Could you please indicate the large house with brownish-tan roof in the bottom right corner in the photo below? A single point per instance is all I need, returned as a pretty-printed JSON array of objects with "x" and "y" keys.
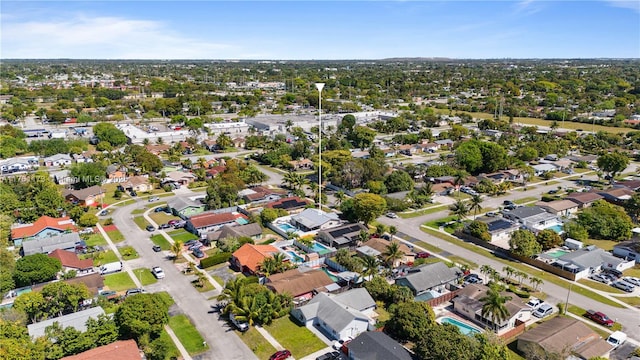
[{"x": 563, "y": 338}]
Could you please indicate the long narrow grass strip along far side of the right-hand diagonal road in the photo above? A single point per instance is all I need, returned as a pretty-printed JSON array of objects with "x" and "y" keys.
[{"x": 546, "y": 277}]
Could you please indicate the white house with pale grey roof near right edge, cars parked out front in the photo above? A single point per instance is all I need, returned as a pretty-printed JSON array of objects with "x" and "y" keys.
[{"x": 590, "y": 259}]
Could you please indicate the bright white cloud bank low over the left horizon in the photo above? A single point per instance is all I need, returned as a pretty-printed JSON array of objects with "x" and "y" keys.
[{"x": 106, "y": 38}]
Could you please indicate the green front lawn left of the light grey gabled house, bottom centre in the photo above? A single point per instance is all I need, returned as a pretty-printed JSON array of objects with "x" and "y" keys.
[{"x": 296, "y": 338}]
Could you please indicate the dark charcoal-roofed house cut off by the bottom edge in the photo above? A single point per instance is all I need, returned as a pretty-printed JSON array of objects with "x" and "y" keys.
[{"x": 376, "y": 345}]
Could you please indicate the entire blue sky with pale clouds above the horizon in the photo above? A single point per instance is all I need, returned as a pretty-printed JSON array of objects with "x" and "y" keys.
[{"x": 319, "y": 30}]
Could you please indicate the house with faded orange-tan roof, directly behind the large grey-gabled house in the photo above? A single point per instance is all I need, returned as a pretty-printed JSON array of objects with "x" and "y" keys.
[{"x": 301, "y": 283}]
